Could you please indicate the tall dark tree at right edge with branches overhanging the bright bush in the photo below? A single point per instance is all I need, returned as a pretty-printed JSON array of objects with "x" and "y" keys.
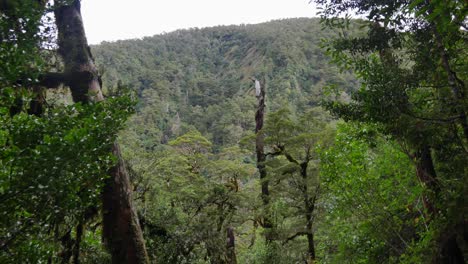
[{"x": 414, "y": 87}]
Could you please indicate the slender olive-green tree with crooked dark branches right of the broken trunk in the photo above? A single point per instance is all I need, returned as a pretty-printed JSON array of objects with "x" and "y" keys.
[{"x": 294, "y": 143}]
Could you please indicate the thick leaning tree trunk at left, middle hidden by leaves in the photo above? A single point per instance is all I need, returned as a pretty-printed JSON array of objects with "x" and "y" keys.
[{"x": 122, "y": 232}]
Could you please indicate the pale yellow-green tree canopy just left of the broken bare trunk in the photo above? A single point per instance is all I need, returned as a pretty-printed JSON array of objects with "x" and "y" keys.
[{"x": 189, "y": 196}]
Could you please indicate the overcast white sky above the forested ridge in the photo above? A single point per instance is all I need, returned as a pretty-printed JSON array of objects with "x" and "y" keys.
[{"x": 109, "y": 20}]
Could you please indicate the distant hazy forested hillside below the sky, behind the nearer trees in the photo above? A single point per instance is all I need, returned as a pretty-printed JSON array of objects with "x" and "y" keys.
[{"x": 202, "y": 77}]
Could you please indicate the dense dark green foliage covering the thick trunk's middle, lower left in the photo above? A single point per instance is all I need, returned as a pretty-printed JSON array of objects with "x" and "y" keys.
[{"x": 43, "y": 185}]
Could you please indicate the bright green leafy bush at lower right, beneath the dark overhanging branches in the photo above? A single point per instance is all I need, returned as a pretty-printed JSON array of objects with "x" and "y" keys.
[{"x": 374, "y": 202}]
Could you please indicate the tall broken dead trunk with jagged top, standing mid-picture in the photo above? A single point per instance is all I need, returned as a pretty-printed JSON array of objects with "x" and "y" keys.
[{"x": 261, "y": 158}]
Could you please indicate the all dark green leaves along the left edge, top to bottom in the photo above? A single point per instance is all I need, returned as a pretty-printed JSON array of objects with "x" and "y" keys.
[{"x": 52, "y": 164}]
